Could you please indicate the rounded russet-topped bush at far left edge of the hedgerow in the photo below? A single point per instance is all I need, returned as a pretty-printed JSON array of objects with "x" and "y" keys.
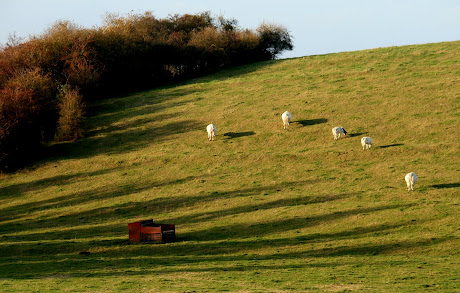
[{"x": 27, "y": 115}]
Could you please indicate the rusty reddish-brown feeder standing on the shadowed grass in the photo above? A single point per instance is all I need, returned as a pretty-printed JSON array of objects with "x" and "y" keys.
[{"x": 148, "y": 231}]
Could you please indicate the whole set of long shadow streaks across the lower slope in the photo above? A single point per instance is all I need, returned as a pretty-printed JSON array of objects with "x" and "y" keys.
[{"x": 43, "y": 254}]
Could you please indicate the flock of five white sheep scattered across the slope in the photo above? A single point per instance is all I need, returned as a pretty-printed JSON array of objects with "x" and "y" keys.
[{"x": 337, "y": 132}]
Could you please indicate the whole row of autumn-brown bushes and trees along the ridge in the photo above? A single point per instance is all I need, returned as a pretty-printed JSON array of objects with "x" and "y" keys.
[{"x": 45, "y": 80}]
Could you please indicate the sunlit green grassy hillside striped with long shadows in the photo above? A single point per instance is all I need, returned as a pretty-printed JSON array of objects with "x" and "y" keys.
[{"x": 261, "y": 209}]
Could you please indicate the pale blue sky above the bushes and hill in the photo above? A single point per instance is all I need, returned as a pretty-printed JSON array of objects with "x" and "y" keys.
[{"x": 318, "y": 27}]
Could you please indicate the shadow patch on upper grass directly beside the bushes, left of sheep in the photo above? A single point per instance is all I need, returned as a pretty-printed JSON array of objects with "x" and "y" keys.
[{"x": 124, "y": 124}]
